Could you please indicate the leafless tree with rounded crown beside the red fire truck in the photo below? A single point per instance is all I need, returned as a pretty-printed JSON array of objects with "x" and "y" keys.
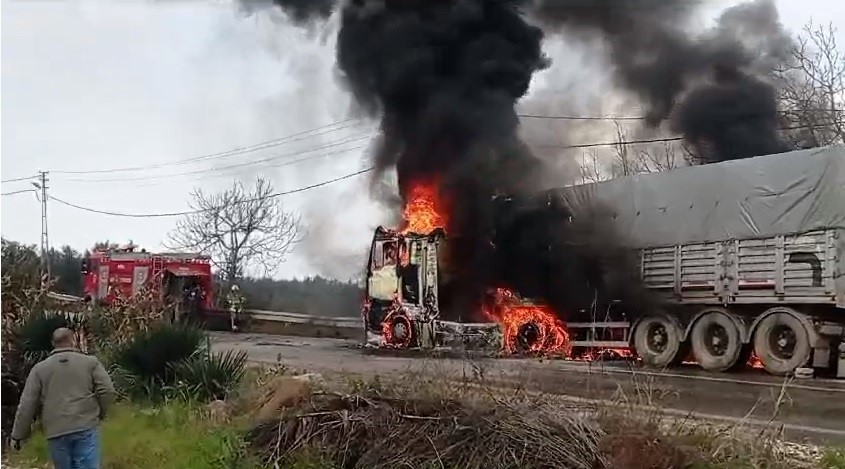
[{"x": 238, "y": 228}]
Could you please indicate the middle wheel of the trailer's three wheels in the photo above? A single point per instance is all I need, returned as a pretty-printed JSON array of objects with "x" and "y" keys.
[{"x": 716, "y": 341}]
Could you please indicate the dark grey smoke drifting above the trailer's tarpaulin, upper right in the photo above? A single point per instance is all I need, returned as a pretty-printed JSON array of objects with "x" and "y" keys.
[{"x": 654, "y": 55}]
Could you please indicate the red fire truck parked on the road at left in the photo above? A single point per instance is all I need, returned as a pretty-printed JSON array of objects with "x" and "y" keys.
[{"x": 125, "y": 271}]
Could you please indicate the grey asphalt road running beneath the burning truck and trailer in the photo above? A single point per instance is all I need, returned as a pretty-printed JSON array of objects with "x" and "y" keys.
[{"x": 809, "y": 409}]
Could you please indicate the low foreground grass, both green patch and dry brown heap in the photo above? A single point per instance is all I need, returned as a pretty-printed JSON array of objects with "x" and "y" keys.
[{"x": 419, "y": 416}]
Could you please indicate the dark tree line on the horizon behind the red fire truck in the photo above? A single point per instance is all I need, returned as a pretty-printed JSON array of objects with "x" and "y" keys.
[{"x": 312, "y": 295}]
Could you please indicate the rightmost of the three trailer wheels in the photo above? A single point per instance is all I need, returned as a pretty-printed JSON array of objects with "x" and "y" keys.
[{"x": 781, "y": 343}]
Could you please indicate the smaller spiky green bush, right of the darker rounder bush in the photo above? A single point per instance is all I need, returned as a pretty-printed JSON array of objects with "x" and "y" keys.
[{"x": 208, "y": 377}]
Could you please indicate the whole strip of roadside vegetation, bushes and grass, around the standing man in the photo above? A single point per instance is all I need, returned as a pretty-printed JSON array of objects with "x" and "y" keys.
[{"x": 181, "y": 405}]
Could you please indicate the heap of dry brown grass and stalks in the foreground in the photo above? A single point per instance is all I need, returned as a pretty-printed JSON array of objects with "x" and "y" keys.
[{"x": 421, "y": 420}]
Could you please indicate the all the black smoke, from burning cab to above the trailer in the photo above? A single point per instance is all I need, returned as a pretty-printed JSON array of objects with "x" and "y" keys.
[{"x": 443, "y": 77}]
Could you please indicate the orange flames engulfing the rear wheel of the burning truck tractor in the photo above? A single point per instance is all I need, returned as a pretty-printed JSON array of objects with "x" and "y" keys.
[{"x": 549, "y": 332}]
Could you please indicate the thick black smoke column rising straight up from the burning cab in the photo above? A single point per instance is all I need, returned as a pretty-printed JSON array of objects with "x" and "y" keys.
[{"x": 444, "y": 76}]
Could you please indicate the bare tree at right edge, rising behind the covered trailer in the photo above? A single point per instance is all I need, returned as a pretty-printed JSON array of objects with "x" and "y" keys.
[{"x": 812, "y": 88}]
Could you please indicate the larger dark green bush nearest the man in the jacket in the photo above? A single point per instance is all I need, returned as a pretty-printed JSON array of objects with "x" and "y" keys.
[{"x": 145, "y": 365}]
